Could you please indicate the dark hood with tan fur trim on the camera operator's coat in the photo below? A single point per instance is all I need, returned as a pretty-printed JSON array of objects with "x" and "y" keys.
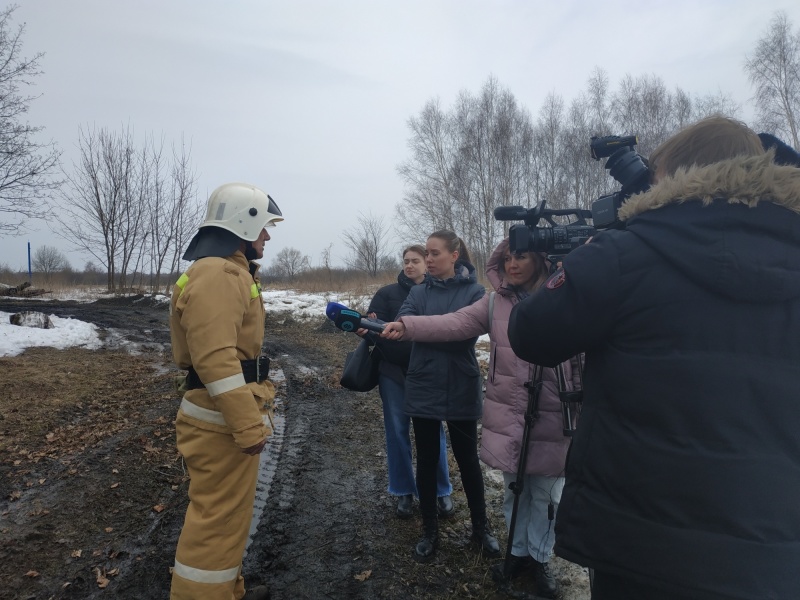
[{"x": 732, "y": 227}]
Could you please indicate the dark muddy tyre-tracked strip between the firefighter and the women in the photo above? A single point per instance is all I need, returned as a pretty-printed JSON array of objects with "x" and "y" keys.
[{"x": 309, "y": 542}]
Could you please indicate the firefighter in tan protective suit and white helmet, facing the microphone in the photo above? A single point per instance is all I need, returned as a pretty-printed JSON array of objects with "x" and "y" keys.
[{"x": 217, "y": 330}]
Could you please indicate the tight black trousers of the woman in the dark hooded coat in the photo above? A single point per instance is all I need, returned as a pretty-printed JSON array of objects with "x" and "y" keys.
[{"x": 464, "y": 442}]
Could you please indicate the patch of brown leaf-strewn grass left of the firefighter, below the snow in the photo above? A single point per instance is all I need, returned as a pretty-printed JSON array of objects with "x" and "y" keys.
[{"x": 85, "y": 399}]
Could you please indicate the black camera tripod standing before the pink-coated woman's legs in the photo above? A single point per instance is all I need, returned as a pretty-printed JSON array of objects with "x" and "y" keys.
[{"x": 570, "y": 410}]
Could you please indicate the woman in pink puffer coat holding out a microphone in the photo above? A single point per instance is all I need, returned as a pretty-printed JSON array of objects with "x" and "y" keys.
[{"x": 513, "y": 277}]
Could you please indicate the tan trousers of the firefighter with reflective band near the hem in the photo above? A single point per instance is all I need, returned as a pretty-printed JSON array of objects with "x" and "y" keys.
[{"x": 222, "y": 490}]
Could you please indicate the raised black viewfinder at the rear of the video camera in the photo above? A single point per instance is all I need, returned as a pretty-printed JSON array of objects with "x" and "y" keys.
[{"x": 626, "y": 166}]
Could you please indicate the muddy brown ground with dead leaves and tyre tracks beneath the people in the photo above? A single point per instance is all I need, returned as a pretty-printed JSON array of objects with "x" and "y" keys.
[{"x": 93, "y": 491}]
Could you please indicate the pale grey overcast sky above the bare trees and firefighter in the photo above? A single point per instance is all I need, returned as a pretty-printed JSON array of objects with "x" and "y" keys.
[{"x": 309, "y": 99}]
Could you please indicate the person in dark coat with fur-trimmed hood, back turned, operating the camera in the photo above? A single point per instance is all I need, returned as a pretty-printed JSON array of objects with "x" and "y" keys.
[{"x": 684, "y": 475}]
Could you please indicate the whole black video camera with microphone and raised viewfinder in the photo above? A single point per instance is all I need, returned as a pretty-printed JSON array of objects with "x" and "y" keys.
[{"x": 624, "y": 164}]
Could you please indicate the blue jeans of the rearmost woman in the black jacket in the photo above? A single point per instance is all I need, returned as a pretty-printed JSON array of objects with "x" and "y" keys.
[{"x": 398, "y": 443}]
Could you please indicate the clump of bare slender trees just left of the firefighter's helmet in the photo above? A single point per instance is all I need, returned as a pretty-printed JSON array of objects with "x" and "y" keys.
[{"x": 120, "y": 207}]
